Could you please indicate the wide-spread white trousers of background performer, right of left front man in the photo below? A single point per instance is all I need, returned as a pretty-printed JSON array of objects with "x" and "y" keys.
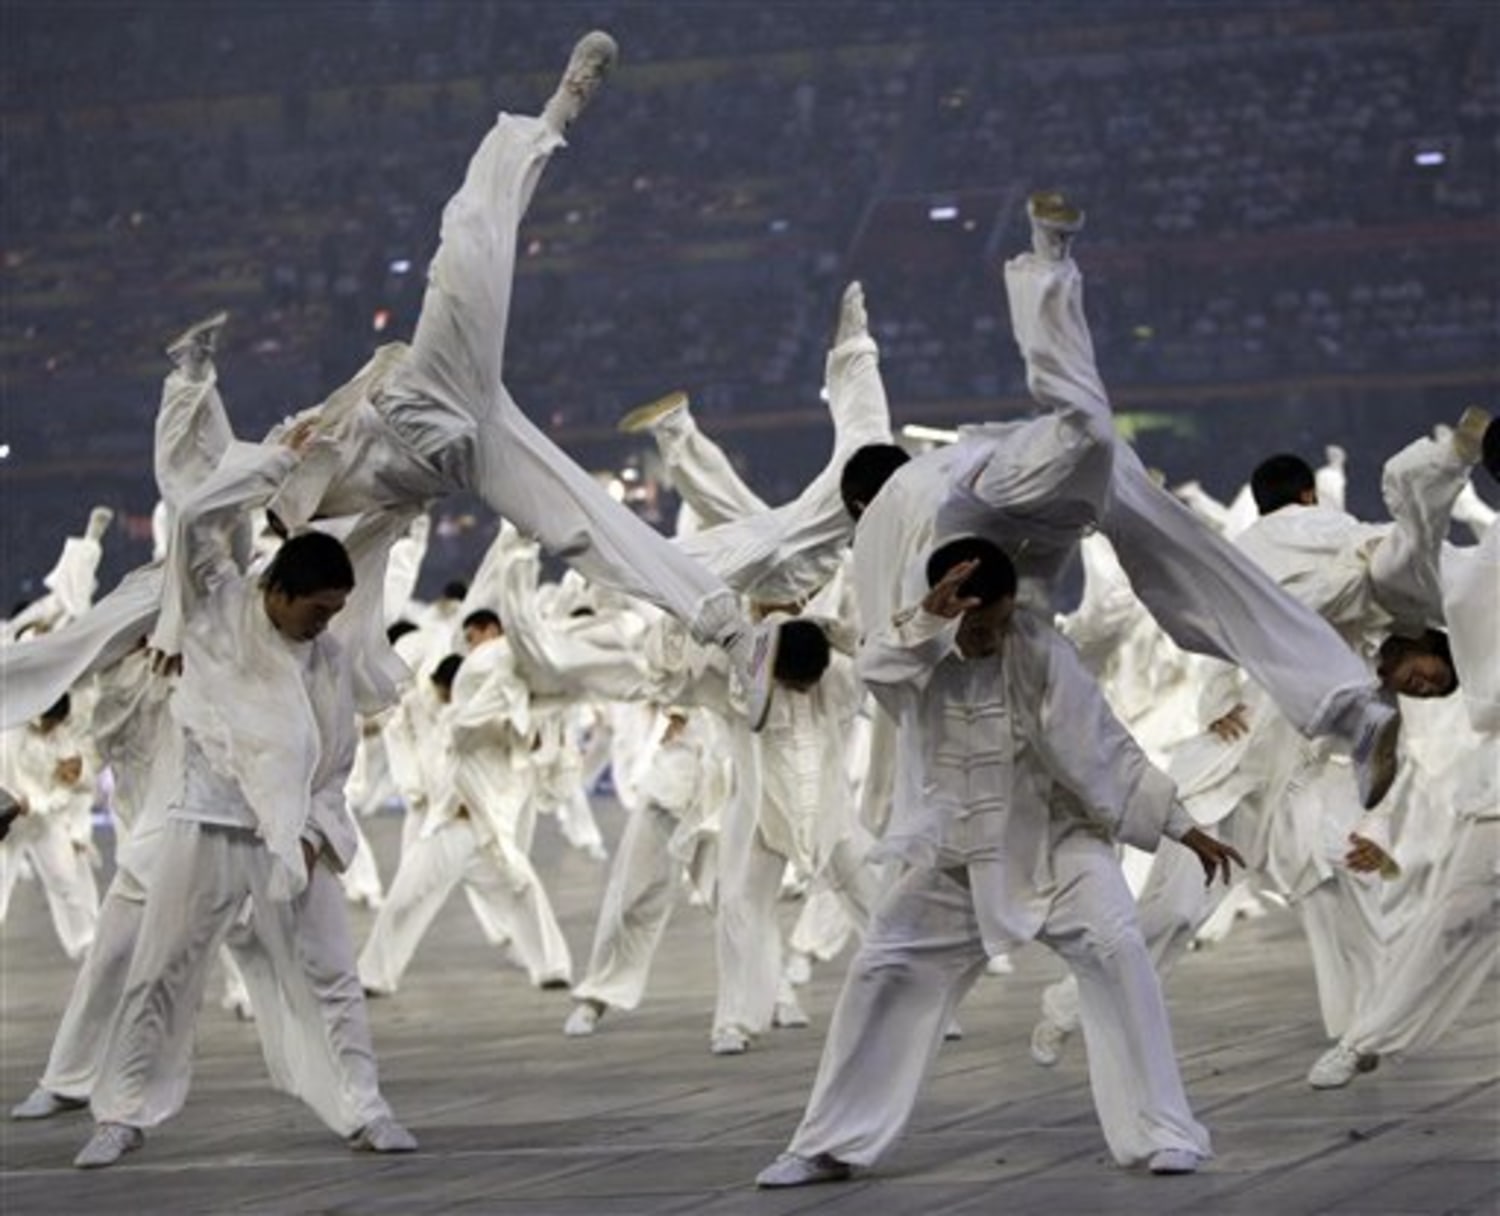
[{"x": 503, "y": 890}]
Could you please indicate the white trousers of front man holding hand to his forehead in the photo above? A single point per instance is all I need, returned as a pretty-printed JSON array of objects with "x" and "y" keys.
[{"x": 920, "y": 957}]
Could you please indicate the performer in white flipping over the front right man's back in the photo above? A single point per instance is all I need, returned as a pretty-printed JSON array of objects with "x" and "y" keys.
[{"x": 1036, "y": 487}]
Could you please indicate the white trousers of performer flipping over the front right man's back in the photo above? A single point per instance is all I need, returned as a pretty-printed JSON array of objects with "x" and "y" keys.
[{"x": 1210, "y": 598}]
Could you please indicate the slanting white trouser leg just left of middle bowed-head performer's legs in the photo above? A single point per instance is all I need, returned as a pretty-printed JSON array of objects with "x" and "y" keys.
[{"x": 640, "y": 896}]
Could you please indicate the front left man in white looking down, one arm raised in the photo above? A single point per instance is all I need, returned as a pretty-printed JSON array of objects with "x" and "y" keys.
[{"x": 260, "y": 815}]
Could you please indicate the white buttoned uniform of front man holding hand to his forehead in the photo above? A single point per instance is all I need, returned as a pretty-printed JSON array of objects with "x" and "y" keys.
[{"x": 1013, "y": 783}]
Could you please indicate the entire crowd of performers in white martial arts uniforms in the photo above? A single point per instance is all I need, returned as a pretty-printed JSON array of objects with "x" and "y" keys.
[{"x": 863, "y": 692}]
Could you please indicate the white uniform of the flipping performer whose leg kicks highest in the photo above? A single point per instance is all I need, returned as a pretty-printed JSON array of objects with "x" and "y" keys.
[{"x": 437, "y": 419}]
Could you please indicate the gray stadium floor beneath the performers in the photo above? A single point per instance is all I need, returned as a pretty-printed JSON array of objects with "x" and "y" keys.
[{"x": 517, "y": 1121}]
